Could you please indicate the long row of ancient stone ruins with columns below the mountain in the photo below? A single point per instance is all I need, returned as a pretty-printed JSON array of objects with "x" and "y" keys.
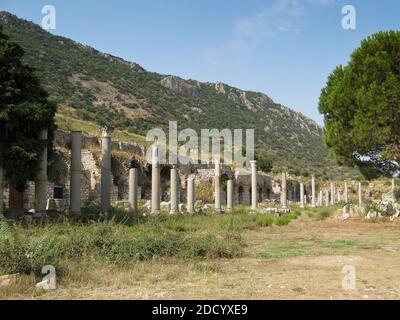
[{"x": 84, "y": 170}]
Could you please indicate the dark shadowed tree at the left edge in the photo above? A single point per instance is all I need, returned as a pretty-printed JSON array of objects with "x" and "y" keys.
[{"x": 24, "y": 112}]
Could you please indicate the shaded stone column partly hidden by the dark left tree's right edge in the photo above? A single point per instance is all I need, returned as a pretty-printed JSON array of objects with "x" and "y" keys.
[{"x": 41, "y": 177}]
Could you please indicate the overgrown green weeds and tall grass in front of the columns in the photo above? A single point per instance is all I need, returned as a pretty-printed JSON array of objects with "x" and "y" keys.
[{"x": 121, "y": 239}]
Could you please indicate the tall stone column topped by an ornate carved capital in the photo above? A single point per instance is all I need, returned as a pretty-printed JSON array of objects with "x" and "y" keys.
[{"x": 105, "y": 183}]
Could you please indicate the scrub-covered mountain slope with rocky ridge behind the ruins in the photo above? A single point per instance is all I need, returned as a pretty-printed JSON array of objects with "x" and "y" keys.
[{"x": 92, "y": 88}]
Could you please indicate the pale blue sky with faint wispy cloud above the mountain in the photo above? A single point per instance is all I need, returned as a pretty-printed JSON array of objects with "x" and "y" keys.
[{"x": 284, "y": 48}]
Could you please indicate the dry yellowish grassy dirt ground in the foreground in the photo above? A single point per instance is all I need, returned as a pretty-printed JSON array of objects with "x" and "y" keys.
[{"x": 301, "y": 261}]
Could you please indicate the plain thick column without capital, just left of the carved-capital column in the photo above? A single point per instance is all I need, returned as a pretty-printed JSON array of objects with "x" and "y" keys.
[{"x": 75, "y": 183}]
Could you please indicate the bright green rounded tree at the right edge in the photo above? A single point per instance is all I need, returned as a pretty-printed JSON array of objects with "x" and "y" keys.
[{"x": 361, "y": 107}]
